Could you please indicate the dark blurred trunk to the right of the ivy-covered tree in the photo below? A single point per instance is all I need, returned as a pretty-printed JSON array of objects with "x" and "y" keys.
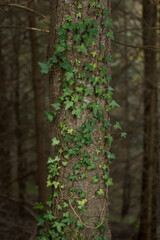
[{"x": 148, "y": 221}]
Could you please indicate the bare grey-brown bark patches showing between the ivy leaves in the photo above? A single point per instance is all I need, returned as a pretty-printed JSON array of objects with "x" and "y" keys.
[{"x": 96, "y": 206}]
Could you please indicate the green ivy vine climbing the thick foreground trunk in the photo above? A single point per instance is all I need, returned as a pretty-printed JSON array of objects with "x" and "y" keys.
[{"x": 80, "y": 81}]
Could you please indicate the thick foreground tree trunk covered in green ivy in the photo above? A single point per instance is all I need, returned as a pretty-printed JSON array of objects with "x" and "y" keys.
[{"x": 81, "y": 178}]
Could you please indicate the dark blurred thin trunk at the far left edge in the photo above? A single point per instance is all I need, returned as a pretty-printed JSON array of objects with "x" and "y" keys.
[{"x": 5, "y": 166}]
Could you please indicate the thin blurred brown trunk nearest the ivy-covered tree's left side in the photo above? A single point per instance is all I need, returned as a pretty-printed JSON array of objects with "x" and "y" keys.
[{"x": 39, "y": 101}]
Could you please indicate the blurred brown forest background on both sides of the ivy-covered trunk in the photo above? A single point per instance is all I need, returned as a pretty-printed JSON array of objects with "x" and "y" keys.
[{"x": 24, "y": 144}]
